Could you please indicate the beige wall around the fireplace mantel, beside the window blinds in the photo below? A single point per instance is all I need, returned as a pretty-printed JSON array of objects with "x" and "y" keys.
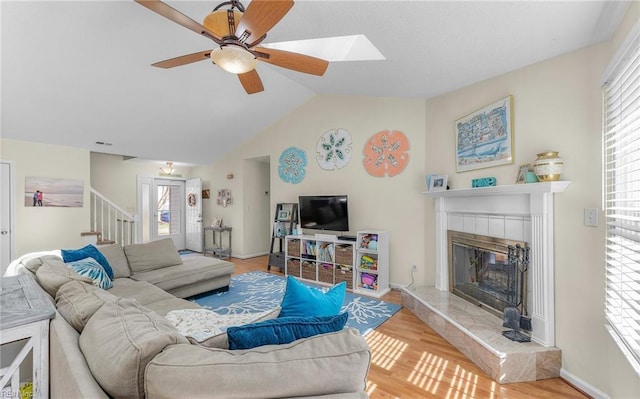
[{"x": 557, "y": 106}]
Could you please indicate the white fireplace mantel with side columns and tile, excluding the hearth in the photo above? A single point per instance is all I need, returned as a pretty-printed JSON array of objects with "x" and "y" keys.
[{"x": 494, "y": 211}]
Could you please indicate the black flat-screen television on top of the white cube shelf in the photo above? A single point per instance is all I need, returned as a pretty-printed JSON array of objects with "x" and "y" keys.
[{"x": 324, "y": 212}]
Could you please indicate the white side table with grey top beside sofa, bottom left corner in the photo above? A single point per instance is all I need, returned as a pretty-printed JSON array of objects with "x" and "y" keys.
[{"x": 25, "y": 312}]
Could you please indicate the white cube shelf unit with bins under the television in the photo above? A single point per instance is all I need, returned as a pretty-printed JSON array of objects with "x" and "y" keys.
[{"x": 326, "y": 260}]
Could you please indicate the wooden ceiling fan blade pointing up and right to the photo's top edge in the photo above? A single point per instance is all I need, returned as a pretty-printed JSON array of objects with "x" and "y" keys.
[{"x": 259, "y": 17}]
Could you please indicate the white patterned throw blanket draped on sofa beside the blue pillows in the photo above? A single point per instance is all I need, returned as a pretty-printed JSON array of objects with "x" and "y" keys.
[{"x": 202, "y": 324}]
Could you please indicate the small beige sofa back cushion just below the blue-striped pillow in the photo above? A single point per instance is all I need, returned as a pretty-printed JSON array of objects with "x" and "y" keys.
[{"x": 77, "y": 302}]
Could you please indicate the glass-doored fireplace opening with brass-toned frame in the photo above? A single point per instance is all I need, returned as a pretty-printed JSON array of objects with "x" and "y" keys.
[{"x": 486, "y": 271}]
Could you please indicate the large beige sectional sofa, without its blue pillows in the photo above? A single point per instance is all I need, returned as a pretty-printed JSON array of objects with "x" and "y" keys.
[{"x": 116, "y": 342}]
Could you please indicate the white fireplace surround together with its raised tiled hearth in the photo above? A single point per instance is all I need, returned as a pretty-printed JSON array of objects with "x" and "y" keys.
[{"x": 521, "y": 212}]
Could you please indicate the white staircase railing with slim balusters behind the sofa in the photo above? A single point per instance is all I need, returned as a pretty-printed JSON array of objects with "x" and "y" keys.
[{"x": 110, "y": 224}]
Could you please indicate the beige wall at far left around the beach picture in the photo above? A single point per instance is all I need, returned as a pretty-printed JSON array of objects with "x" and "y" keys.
[{"x": 39, "y": 229}]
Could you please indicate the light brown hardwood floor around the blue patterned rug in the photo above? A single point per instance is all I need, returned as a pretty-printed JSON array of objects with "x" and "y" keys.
[{"x": 410, "y": 360}]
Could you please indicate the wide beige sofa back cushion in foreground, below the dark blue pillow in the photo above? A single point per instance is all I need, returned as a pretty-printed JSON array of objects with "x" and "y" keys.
[{"x": 320, "y": 365}]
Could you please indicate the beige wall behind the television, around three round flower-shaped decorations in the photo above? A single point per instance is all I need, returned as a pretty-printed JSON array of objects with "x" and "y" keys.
[{"x": 394, "y": 204}]
